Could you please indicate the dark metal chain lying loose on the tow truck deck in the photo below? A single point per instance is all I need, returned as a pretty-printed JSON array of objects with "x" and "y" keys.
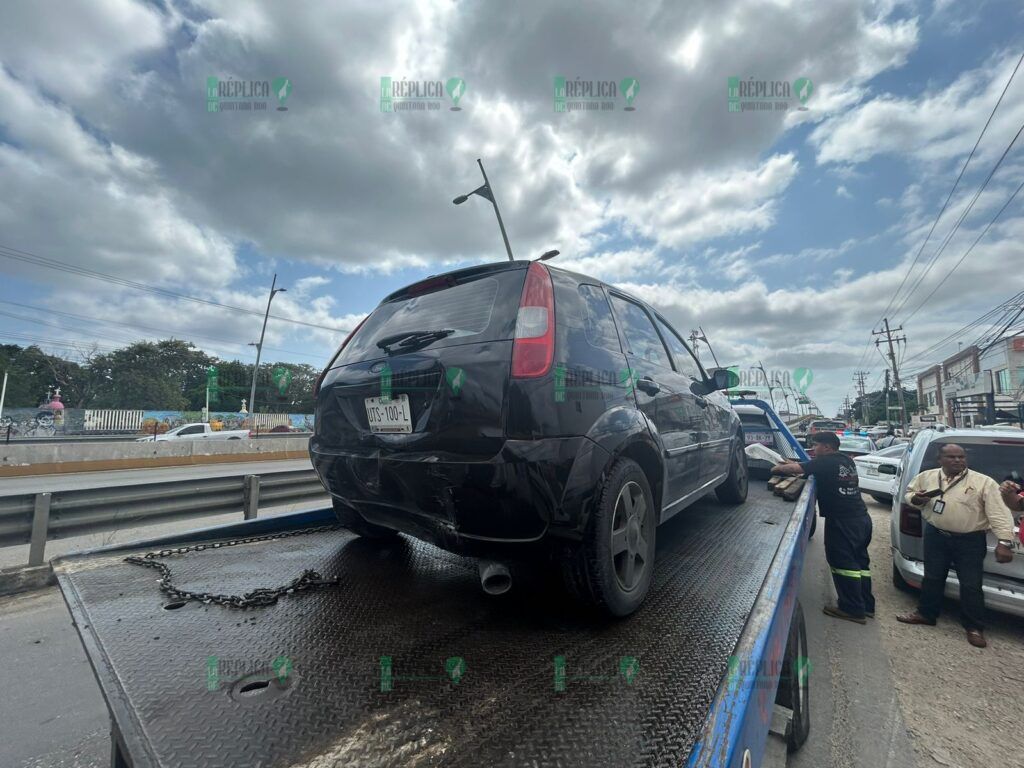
[{"x": 259, "y": 598}]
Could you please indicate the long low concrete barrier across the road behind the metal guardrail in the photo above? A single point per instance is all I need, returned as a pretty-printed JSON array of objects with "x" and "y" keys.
[{"x": 60, "y": 458}]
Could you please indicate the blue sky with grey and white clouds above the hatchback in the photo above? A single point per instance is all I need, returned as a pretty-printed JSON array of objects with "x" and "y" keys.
[{"x": 785, "y": 234}]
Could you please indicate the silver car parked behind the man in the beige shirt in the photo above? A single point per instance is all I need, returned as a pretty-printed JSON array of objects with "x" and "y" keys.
[{"x": 992, "y": 452}]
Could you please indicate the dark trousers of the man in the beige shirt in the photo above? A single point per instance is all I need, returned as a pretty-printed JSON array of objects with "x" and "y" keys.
[{"x": 967, "y": 553}]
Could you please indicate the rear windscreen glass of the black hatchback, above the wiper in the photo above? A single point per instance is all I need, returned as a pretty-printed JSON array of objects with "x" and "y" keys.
[{"x": 470, "y": 310}]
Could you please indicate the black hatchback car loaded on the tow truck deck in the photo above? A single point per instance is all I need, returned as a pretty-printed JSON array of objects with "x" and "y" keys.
[{"x": 514, "y": 412}]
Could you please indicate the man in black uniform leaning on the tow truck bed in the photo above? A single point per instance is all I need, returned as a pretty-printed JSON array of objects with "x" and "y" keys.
[{"x": 848, "y": 527}]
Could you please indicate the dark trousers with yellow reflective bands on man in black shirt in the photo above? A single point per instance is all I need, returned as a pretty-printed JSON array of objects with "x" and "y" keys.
[{"x": 846, "y": 551}]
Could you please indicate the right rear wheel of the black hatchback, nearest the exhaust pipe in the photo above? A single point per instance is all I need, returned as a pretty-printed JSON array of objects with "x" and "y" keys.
[{"x": 613, "y": 567}]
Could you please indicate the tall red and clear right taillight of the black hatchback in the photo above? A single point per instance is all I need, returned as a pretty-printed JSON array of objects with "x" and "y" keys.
[{"x": 534, "y": 349}]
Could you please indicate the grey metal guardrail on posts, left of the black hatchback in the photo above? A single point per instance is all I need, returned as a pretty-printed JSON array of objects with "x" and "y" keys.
[{"x": 37, "y": 519}]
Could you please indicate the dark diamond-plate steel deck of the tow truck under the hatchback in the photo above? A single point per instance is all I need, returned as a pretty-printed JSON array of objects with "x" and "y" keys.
[{"x": 419, "y": 607}]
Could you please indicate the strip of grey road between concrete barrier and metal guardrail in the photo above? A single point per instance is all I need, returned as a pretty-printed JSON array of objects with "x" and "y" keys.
[{"x": 79, "y": 481}]
